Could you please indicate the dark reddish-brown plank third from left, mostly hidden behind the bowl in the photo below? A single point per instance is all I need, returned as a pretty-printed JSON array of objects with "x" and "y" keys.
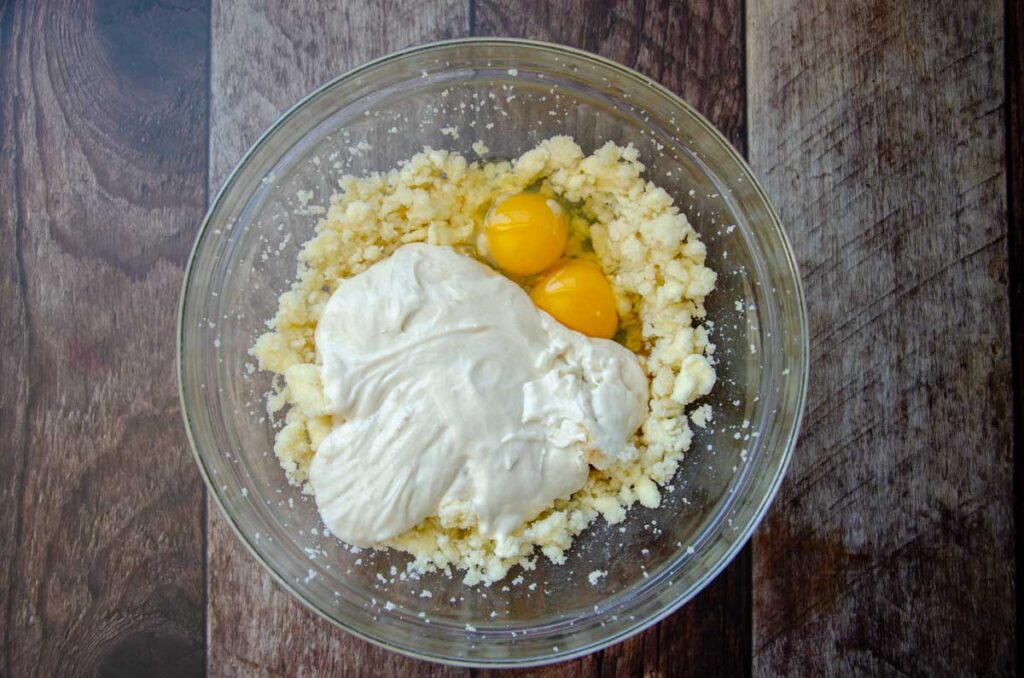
[{"x": 696, "y": 50}]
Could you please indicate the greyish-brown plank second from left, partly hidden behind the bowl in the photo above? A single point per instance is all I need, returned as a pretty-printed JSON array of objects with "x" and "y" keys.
[{"x": 266, "y": 58}]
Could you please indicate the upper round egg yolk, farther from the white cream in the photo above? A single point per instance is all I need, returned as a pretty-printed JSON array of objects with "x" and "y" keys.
[{"x": 526, "y": 234}]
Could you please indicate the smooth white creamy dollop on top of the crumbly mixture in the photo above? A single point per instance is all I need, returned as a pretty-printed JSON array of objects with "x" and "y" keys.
[{"x": 448, "y": 387}]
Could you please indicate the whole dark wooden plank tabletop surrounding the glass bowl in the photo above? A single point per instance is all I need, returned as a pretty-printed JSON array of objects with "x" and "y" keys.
[{"x": 888, "y": 136}]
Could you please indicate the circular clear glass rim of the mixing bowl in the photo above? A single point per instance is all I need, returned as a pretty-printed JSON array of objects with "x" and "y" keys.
[{"x": 803, "y": 359}]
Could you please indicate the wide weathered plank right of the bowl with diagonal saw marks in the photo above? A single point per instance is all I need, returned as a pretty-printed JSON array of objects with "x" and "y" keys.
[{"x": 878, "y": 129}]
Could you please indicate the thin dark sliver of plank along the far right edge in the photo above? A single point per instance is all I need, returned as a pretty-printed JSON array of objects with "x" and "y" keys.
[{"x": 1015, "y": 185}]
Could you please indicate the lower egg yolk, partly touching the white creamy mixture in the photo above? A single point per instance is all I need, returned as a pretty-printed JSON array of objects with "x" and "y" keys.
[{"x": 577, "y": 294}]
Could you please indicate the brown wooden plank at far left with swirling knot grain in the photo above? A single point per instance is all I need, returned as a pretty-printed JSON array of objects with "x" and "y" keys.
[{"x": 103, "y": 182}]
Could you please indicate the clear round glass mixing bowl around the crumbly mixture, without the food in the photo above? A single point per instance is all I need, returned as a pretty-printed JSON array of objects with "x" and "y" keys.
[{"x": 380, "y": 114}]
